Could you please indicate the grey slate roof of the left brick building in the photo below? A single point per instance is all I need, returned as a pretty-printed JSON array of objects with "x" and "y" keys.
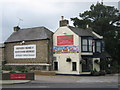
[{"x": 36, "y": 33}]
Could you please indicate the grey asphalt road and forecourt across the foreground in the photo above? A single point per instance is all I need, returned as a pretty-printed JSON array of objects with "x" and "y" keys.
[{"x": 108, "y": 81}]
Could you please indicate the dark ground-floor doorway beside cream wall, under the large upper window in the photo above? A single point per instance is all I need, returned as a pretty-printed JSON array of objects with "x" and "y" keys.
[{"x": 87, "y": 66}]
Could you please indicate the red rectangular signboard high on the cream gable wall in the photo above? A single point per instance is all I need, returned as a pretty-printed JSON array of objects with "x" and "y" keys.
[{"x": 65, "y": 40}]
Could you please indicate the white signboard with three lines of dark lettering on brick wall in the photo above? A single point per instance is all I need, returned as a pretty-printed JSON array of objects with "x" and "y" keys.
[{"x": 24, "y": 51}]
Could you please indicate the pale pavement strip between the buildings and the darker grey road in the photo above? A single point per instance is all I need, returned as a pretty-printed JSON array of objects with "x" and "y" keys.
[{"x": 65, "y": 79}]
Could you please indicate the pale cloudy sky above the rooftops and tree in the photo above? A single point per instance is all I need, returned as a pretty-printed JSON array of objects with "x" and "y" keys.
[{"x": 37, "y": 13}]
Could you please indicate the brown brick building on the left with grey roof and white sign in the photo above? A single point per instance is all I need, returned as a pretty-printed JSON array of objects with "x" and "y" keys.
[{"x": 29, "y": 47}]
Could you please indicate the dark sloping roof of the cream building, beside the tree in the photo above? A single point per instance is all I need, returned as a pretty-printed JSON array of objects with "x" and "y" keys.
[{"x": 82, "y": 32}]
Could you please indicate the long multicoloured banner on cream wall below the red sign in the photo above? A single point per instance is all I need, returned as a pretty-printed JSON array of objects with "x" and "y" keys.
[{"x": 65, "y": 49}]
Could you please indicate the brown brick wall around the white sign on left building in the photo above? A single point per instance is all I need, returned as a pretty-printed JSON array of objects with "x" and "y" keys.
[{"x": 43, "y": 52}]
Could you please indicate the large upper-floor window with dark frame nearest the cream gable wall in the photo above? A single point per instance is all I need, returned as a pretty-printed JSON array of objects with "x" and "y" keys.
[{"x": 87, "y": 44}]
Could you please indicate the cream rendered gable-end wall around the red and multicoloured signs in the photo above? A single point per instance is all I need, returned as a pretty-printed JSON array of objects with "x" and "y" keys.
[{"x": 63, "y": 66}]
